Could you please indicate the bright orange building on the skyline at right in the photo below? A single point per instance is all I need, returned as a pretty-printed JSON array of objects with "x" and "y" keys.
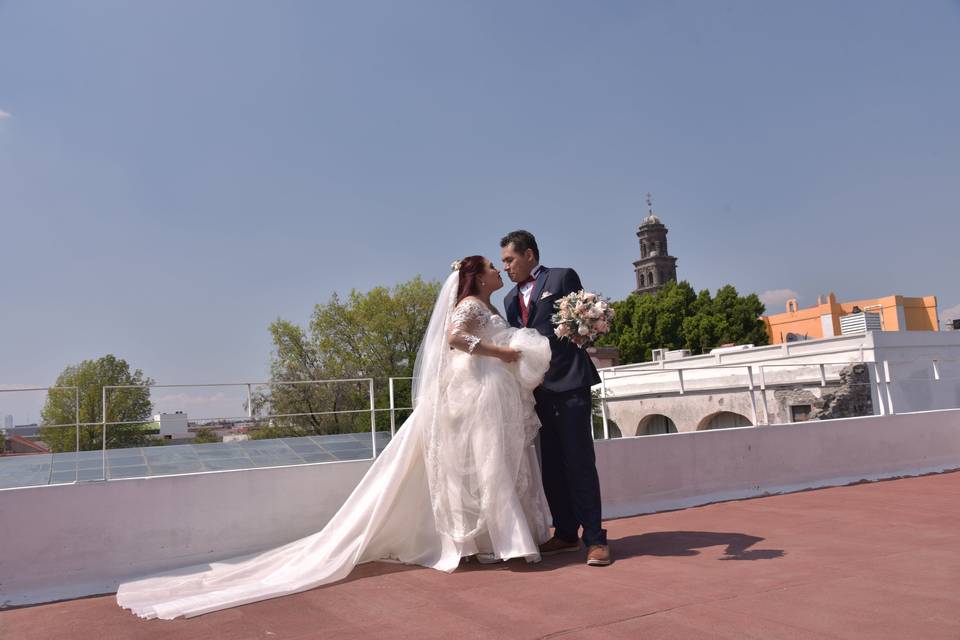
[{"x": 896, "y": 313}]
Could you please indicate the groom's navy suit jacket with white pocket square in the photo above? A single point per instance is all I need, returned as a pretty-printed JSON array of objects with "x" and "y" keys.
[{"x": 570, "y": 366}]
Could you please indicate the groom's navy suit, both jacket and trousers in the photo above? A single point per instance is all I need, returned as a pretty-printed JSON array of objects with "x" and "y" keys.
[{"x": 564, "y": 407}]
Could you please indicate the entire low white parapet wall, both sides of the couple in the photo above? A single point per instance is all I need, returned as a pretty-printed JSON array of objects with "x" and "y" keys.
[{"x": 68, "y": 541}]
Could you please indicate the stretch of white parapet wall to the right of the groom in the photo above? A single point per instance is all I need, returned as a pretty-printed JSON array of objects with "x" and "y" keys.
[{"x": 657, "y": 473}]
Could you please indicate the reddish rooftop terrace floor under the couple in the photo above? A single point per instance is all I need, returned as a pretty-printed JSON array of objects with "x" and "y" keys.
[{"x": 875, "y": 560}]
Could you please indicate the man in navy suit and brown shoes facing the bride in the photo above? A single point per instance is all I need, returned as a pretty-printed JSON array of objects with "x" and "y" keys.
[{"x": 563, "y": 402}]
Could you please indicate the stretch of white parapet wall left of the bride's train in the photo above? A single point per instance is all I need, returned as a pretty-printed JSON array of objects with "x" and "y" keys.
[{"x": 67, "y": 541}]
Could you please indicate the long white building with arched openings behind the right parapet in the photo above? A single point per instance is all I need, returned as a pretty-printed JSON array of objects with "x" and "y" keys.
[{"x": 873, "y": 373}]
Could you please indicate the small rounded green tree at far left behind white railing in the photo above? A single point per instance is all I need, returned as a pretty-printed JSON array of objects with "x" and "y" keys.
[{"x": 123, "y": 405}]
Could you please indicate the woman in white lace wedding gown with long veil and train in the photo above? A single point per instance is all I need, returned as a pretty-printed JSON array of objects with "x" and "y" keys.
[{"x": 460, "y": 478}]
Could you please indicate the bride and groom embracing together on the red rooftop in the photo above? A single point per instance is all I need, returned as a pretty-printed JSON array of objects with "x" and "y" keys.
[{"x": 462, "y": 478}]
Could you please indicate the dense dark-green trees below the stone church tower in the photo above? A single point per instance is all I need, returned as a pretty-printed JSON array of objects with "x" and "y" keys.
[{"x": 676, "y": 317}]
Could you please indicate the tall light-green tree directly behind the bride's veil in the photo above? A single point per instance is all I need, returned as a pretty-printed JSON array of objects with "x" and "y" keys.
[{"x": 369, "y": 335}]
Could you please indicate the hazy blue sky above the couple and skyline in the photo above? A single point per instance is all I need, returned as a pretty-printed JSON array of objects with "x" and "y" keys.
[{"x": 176, "y": 175}]
